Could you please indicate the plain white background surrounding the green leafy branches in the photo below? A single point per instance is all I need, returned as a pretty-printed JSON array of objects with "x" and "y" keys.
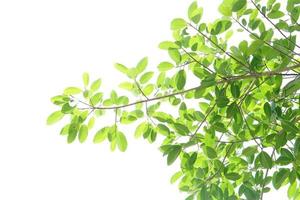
[{"x": 44, "y": 47}]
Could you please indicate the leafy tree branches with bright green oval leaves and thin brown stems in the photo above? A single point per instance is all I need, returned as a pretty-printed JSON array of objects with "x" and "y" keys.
[{"x": 228, "y": 110}]
